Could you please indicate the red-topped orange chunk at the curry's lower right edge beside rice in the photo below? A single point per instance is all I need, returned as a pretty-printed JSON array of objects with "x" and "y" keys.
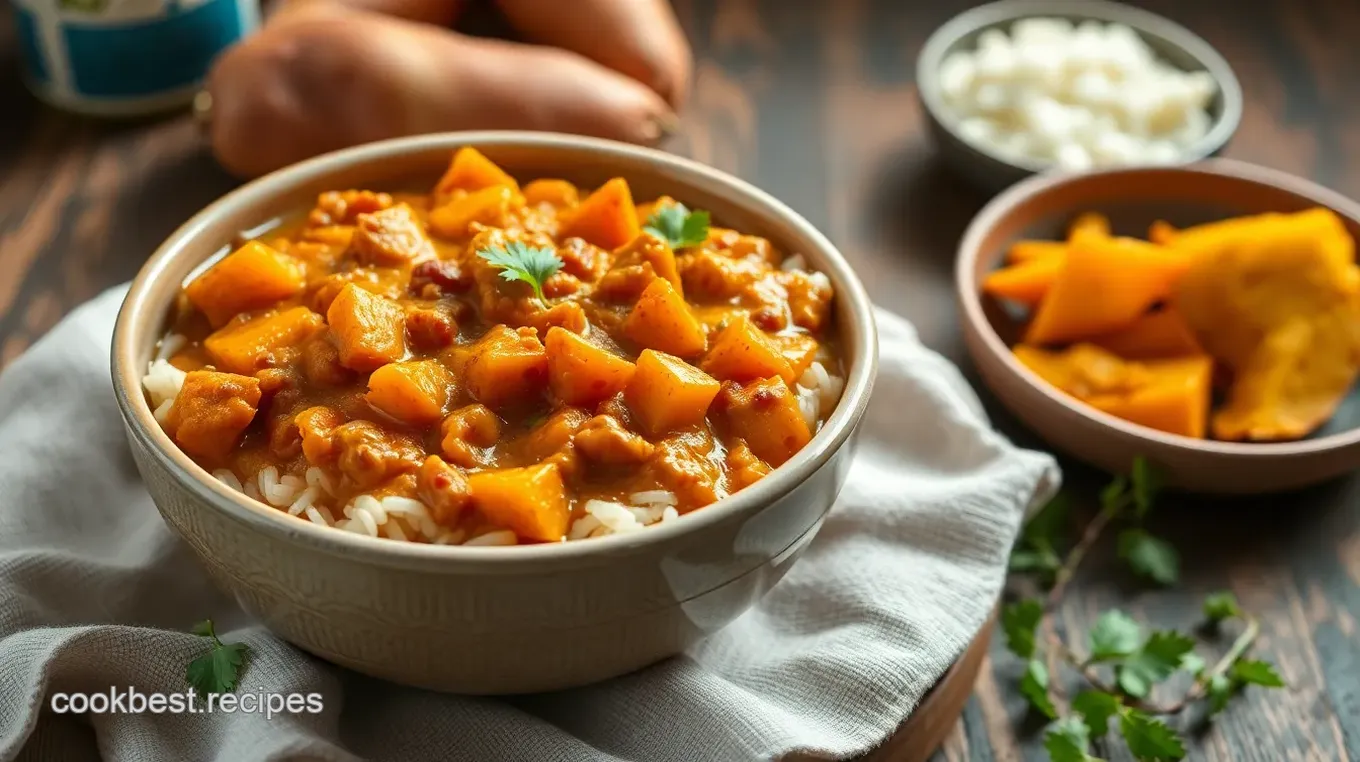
[{"x": 766, "y": 414}]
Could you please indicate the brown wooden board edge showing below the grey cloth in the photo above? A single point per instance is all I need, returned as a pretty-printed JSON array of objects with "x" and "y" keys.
[{"x": 921, "y": 734}]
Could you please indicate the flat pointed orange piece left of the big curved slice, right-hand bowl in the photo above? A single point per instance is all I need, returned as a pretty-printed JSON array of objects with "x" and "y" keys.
[{"x": 1104, "y": 286}]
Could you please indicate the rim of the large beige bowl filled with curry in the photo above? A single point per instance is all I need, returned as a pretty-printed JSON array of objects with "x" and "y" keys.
[{"x": 834, "y": 435}]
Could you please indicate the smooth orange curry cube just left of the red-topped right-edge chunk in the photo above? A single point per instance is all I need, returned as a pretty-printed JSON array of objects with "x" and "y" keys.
[{"x": 668, "y": 394}]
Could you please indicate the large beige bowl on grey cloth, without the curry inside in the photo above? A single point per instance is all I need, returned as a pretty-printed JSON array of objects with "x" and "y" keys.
[{"x": 494, "y": 620}]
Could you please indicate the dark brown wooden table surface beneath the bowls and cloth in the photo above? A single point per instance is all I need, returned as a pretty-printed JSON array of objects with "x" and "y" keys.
[{"x": 815, "y": 103}]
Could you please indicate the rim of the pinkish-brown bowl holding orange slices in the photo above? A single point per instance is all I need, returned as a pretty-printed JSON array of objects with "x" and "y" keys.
[{"x": 970, "y": 299}]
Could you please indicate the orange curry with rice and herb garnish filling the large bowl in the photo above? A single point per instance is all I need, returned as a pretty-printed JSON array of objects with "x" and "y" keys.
[{"x": 497, "y": 364}]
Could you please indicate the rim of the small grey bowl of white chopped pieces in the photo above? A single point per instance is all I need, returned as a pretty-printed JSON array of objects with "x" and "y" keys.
[{"x": 1143, "y": 22}]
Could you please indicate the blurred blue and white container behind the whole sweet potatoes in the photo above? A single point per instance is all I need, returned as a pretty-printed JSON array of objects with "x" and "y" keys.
[{"x": 126, "y": 58}]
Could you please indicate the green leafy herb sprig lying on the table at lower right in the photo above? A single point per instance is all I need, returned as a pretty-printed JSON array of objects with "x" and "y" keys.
[{"x": 1123, "y": 665}]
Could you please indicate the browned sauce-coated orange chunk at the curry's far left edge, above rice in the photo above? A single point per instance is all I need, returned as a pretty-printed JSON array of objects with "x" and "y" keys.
[{"x": 211, "y": 412}]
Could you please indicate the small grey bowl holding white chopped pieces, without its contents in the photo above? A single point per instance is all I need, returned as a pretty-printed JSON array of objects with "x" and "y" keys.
[{"x": 1170, "y": 42}]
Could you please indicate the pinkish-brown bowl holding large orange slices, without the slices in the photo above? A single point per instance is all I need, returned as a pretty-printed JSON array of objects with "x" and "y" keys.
[{"x": 1134, "y": 199}]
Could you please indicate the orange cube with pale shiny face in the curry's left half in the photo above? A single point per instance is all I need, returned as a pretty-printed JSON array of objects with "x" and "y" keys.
[{"x": 369, "y": 330}]
